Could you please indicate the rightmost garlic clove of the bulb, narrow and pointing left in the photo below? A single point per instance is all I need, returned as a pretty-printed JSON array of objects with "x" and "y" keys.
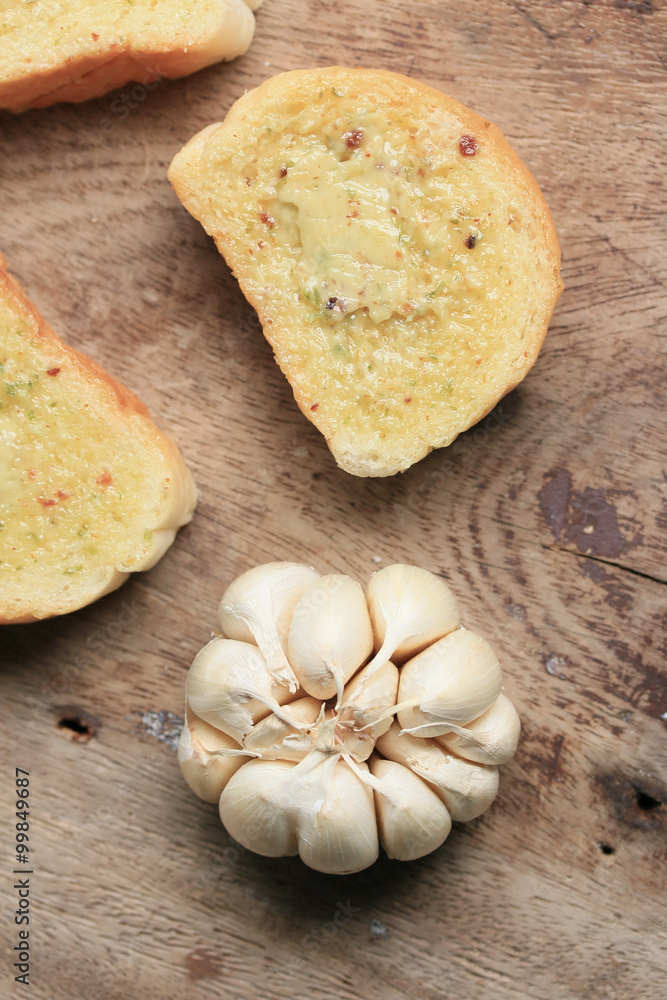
[{"x": 492, "y": 738}]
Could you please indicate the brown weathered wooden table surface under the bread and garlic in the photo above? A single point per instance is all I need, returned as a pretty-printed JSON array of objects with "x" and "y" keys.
[{"x": 548, "y": 521}]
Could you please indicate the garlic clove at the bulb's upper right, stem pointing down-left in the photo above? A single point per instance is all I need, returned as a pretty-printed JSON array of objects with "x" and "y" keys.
[{"x": 410, "y": 608}]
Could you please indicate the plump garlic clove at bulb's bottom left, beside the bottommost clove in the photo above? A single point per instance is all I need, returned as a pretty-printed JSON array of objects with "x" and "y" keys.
[{"x": 252, "y": 808}]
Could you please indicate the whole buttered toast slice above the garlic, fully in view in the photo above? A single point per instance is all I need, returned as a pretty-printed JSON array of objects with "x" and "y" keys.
[{"x": 401, "y": 258}]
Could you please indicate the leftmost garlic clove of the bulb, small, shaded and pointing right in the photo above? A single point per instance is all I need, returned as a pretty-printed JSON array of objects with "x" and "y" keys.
[{"x": 207, "y": 757}]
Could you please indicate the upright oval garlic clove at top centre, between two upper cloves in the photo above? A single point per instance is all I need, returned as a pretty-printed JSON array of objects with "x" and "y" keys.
[{"x": 330, "y": 636}]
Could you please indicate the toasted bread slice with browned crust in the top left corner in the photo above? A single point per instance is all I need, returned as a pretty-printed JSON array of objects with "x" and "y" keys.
[{"x": 74, "y": 50}]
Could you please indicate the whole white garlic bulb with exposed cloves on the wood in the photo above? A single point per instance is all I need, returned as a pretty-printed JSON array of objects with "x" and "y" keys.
[{"x": 311, "y": 748}]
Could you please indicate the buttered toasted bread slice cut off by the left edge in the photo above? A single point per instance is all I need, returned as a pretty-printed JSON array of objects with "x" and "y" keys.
[{"x": 90, "y": 489}]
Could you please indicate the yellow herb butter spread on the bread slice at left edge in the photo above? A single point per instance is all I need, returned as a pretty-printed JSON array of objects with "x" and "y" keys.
[{"x": 73, "y": 491}]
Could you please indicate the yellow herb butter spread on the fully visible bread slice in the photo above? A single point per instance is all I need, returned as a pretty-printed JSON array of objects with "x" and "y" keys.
[{"x": 397, "y": 259}]
